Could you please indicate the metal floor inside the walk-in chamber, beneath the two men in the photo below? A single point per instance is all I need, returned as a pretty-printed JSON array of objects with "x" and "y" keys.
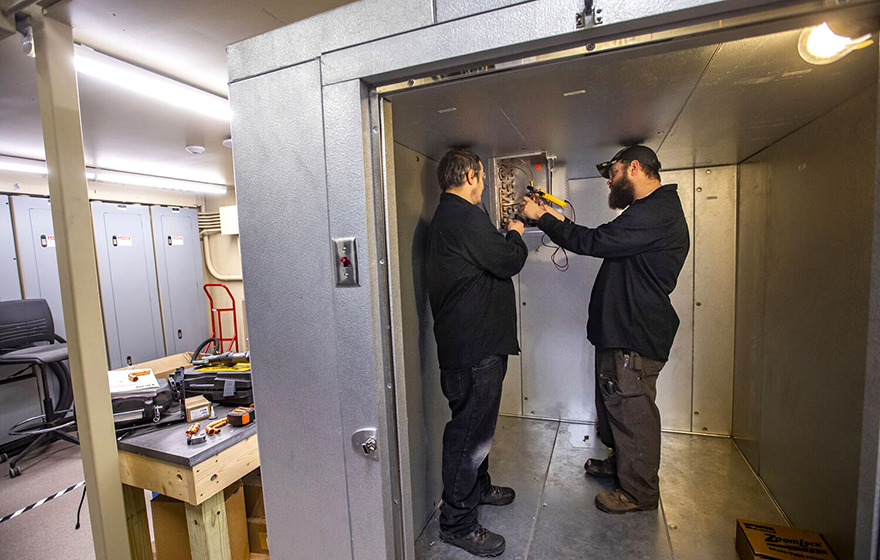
[{"x": 705, "y": 484}]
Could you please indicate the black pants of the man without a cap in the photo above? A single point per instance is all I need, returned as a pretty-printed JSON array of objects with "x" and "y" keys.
[{"x": 474, "y": 396}]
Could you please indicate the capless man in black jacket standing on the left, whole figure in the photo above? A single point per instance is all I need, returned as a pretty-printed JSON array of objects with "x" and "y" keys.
[{"x": 469, "y": 266}]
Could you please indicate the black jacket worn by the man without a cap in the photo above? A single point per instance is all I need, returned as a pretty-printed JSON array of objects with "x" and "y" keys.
[{"x": 469, "y": 266}]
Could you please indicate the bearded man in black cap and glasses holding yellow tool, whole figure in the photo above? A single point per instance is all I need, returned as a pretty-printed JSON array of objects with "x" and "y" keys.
[{"x": 631, "y": 320}]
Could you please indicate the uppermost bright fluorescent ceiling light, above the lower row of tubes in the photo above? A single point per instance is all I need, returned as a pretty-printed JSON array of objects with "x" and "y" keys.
[{"x": 144, "y": 82}]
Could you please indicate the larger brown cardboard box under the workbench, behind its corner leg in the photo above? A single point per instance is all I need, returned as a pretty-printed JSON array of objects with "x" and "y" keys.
[{"x": 172, "y": 535}]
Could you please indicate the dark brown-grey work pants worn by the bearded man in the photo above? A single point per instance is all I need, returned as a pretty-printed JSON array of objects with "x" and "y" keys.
[{"x": 629, "y": 421}]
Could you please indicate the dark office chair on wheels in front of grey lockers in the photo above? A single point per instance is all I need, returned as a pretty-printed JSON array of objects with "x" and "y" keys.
[{"x": 23, "y": 325}]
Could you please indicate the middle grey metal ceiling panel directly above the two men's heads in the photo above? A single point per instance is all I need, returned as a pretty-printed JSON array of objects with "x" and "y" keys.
[{"x": 624, "y": 100}]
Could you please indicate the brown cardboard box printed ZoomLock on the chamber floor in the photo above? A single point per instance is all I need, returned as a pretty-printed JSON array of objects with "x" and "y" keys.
[{"x": 755, "y": 540}]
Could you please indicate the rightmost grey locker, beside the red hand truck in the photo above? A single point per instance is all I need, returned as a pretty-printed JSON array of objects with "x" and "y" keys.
[{"x": 179, "y": 267}]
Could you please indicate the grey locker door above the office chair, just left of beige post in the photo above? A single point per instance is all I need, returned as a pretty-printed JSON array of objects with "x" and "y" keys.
[{"x": 36, "y": 251}]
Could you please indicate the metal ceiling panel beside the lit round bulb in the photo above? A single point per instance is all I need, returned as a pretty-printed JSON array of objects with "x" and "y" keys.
[{"x": 755, "y": 92}]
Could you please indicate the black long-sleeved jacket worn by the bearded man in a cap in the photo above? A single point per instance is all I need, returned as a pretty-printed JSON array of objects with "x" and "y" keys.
[{"x": 643, "y": 249}]
